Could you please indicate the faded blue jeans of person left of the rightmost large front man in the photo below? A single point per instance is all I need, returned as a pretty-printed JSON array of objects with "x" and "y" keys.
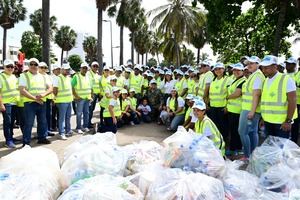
[{"x": 248, "y": 132}]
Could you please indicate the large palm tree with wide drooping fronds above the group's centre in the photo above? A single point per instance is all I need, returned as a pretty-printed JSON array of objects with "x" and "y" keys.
[{"x": 177, "y": 20}]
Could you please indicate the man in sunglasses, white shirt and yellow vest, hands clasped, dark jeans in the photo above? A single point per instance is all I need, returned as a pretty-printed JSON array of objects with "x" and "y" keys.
[{"x": 34, "y": 89}]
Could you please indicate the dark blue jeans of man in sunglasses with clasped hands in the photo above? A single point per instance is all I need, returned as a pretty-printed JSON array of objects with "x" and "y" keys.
[{"x": 32, "y": 109}]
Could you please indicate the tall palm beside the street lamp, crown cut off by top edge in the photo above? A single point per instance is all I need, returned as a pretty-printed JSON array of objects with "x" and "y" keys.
[{"x": 101, "y": 6}]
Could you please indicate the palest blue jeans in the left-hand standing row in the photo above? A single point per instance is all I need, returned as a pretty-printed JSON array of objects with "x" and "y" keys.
[{"x": 64, "y": 117}]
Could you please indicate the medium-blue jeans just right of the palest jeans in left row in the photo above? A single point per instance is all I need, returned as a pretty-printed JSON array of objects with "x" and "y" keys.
[{"x": 82, "y": 108}]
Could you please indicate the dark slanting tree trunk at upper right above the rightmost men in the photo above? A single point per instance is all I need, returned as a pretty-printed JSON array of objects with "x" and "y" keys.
[{"x": 279, "y": 27}]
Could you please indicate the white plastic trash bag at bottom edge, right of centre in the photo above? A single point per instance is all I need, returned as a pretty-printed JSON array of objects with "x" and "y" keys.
[{"x": 176, "y": 184}]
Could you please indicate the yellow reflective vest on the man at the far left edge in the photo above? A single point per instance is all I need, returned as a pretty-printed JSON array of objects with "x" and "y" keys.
[{"x": 9, "y": 91}]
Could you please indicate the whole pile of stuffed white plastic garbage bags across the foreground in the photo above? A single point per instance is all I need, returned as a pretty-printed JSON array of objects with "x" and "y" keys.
[{"x": 184, "y": 166}]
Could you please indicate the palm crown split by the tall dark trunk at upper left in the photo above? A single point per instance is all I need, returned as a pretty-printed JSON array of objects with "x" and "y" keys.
[{"x": 36, "y": 23}]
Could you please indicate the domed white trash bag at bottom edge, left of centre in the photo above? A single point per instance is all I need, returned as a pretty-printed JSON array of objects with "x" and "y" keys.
[{"x": 102, "y": 187}]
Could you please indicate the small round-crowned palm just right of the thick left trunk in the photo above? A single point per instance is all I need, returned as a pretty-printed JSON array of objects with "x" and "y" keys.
[{"x": 65, "y": 38}]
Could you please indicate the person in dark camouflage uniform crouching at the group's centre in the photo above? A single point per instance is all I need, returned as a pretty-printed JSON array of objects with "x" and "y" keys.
[{"x": 155, "y": 99}]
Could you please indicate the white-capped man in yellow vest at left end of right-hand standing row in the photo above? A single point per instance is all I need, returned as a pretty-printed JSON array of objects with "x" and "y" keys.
[{"x": 206, "y": 77}]
